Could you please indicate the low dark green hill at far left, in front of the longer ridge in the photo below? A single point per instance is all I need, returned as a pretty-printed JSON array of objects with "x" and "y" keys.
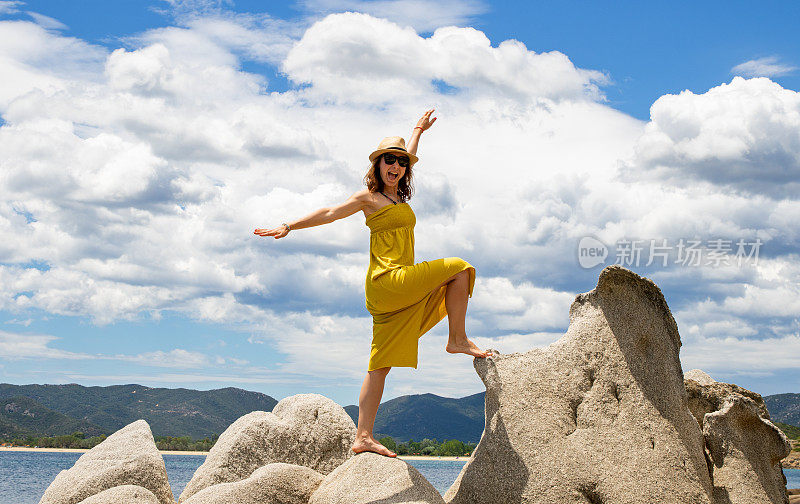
[{"x": 20, "y": 416}]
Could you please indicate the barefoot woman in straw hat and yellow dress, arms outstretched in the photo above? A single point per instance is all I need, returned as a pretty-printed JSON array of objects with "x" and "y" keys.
[{"x": 404, "y": 298}]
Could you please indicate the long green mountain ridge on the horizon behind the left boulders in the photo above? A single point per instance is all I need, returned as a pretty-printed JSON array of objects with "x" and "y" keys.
[{"x": 170, "y": 412}]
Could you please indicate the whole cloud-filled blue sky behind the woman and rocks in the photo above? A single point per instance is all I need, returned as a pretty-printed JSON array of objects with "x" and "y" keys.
[{"x": 142, "y": 140}]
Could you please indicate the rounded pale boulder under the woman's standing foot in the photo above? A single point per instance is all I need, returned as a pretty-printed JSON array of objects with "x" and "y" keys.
[{"x": 375, "y": 479}]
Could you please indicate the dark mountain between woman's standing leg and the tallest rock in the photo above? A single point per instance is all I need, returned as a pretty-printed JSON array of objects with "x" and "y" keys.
[{"x": 428, "y": 416}]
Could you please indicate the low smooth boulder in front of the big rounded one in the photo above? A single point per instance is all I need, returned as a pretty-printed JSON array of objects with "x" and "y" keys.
[{"x": 277, "y": 483}]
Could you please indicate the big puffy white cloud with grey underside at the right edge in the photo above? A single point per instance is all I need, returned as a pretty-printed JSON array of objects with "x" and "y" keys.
[{"x": 743, "y": 136}]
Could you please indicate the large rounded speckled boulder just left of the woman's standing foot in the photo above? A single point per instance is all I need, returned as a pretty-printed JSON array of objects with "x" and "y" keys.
[{"x": 305, "y": 429}]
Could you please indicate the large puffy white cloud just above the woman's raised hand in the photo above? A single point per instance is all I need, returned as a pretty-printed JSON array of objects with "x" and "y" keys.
[{"x": 357, "y": 58}]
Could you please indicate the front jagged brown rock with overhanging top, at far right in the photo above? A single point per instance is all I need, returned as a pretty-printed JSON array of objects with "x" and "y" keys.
[{"x": 746, "y": 450}]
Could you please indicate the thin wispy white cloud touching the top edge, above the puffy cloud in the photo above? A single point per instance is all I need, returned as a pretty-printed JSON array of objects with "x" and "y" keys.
[{"x": 422, "y": 15}]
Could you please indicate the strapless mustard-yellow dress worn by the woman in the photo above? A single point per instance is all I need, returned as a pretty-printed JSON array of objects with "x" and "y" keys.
[{"x": 401, "y": 296}]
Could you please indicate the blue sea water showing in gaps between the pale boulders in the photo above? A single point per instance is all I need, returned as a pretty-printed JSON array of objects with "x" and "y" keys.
[{"x": 24, "y": 476}]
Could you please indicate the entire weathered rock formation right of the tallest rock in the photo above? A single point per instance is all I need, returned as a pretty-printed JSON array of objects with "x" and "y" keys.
[{"x": 744, "y": 448}]
